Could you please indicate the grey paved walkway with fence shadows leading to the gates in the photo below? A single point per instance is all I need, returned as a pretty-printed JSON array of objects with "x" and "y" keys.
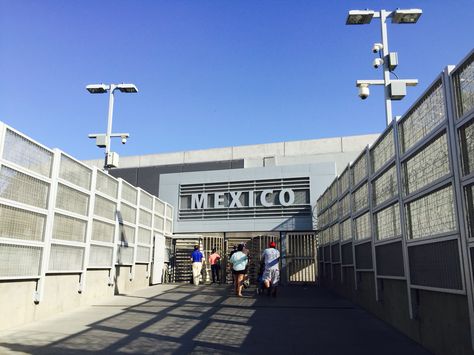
[{"x": 183, "y": 319}]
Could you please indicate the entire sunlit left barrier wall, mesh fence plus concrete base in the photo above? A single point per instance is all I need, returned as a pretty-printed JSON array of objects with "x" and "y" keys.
[{"x": 70, "y": 234}]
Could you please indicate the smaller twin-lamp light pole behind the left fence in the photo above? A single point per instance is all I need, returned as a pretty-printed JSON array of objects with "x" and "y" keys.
[{"x": 103, "y": 140}]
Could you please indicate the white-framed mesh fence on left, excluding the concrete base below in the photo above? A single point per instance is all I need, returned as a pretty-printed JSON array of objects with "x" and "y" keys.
[{"x": 38, "y": 237}]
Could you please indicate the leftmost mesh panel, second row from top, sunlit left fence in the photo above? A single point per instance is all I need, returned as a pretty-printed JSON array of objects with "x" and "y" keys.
[{"x": 23, "y": 188}]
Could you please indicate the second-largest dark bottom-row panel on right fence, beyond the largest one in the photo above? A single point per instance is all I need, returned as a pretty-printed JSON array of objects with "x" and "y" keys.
[{"x": 389, "y": 258}]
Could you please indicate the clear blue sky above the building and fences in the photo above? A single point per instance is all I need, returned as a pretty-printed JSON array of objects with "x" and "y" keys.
[{"x": 210, "y": 73}]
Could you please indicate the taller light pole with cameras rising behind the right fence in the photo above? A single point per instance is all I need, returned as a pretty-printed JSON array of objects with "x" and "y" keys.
[{"x": 393, "y": 89}]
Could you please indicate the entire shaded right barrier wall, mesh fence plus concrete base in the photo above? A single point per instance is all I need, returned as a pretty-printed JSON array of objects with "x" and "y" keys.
[{"x": 396, "y": 227}]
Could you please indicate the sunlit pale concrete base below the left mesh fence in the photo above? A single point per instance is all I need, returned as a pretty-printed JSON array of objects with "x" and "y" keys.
[{"x": 61, "y": 294}]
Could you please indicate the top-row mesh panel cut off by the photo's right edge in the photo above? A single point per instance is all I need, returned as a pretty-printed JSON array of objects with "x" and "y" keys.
[{"x": 463, "y": 79}]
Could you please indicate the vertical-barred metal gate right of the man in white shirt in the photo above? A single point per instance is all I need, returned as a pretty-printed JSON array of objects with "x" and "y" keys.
[{"x": 301, "y": 257}]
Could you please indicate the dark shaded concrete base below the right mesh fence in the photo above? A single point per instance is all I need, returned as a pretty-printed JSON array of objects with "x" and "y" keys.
[{"x": 441, "y": 322}]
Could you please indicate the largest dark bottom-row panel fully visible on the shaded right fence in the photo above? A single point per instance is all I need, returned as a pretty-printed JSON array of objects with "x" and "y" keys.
[{"x": 436, "y": 265}]
